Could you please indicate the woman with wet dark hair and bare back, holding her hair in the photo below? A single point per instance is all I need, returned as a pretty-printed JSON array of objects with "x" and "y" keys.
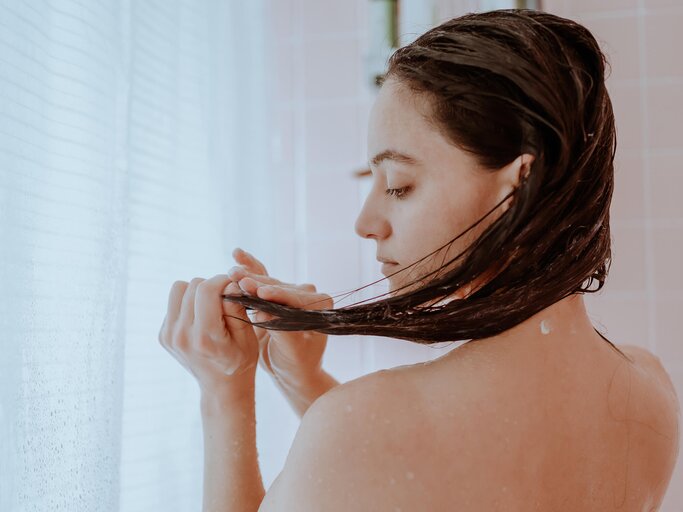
[{"x": 495, "y": 127}]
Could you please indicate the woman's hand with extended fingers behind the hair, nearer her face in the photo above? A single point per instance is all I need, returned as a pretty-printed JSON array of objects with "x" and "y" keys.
[{"x": 289, "y": 356}]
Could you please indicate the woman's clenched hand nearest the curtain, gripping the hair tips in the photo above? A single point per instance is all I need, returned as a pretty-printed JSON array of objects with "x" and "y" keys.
[{"x": 218, "y": 350}]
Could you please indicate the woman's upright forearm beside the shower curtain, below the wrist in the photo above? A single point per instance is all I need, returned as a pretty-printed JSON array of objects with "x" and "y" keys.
[{"x": 232, "y": 477}]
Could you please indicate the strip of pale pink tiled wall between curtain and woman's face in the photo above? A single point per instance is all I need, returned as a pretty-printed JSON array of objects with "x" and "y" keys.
[{"x": 318, "y": 117}]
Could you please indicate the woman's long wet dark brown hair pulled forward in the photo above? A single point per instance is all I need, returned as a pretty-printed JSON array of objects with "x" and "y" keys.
[{"x": 501, "y": 83}]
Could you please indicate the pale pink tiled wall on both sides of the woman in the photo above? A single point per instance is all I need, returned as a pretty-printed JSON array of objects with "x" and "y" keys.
[{"x": 321, "y": 107}]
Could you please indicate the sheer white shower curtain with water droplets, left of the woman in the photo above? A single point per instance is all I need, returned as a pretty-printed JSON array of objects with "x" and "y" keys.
[{"x": 131, "y": 152}]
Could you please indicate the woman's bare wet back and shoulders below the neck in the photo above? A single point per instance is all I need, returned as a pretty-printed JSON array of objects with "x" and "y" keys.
[{"x": 399, "y": 438}]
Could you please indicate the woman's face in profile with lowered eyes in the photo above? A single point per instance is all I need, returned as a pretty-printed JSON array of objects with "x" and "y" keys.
[{"x": 425, "y": 190}]
